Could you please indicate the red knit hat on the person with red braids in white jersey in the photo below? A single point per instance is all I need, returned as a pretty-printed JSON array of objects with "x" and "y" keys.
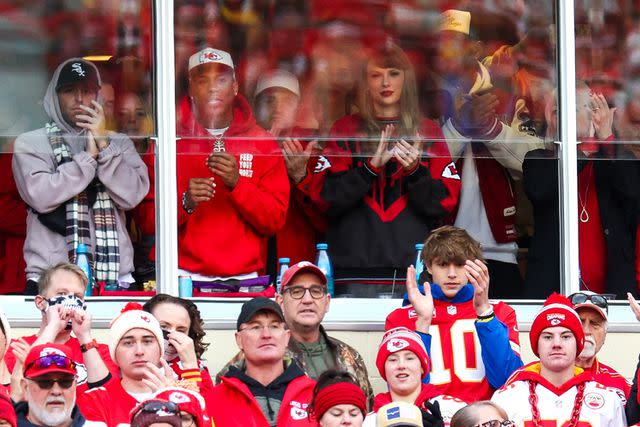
[{"x": 556, "y": 311}]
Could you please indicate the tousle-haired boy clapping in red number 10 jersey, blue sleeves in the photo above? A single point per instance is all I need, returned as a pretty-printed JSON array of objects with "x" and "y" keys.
[{"x": 473, "y": 342}]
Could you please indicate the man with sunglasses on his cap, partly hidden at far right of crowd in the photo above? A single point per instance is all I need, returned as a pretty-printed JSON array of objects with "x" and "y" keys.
[{"x": 593, "y": 310}]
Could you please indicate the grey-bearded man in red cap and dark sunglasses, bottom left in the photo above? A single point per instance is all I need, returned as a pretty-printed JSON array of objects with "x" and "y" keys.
[{"x": 49, "y": 386}]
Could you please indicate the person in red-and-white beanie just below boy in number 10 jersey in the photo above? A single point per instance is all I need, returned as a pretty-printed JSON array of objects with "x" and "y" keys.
[{"x": 403, "y": 363}]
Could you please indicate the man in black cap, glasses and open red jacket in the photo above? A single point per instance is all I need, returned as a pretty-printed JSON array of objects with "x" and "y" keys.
[{"x": 268, "y": 390}]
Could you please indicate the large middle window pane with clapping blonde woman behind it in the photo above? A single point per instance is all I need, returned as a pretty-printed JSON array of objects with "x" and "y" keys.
[{"x": 366, "y": 111}]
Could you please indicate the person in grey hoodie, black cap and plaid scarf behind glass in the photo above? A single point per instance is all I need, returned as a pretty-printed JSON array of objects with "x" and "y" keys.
[{"x": 78, "y": 179}]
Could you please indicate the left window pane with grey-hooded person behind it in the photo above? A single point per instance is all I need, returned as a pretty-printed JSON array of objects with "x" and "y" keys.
[{"x": 75, "y": 126}]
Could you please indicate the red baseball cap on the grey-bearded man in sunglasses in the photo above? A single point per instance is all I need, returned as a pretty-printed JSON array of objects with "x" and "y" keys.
[{"x": 47, "y": 358}]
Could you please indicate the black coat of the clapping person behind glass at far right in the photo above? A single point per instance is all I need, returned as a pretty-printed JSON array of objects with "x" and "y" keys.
[{"x": 617, "y": 182}]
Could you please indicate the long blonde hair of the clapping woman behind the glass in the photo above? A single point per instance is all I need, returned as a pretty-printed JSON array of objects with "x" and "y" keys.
[{"x": 391, "y": 56}]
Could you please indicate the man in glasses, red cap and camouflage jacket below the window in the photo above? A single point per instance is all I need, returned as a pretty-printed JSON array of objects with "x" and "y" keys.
[{"x": 304, "y": 301}]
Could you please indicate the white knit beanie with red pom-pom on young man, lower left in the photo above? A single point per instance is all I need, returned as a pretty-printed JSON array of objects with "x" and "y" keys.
[{"x": 133, "y": 317}]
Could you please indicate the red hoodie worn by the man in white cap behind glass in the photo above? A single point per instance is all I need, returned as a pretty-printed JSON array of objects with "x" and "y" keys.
[{"x": 227, "y": 235}]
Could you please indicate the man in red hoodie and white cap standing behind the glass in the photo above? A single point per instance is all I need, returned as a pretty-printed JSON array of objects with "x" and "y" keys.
[{"x": 232, "y": 181}]
